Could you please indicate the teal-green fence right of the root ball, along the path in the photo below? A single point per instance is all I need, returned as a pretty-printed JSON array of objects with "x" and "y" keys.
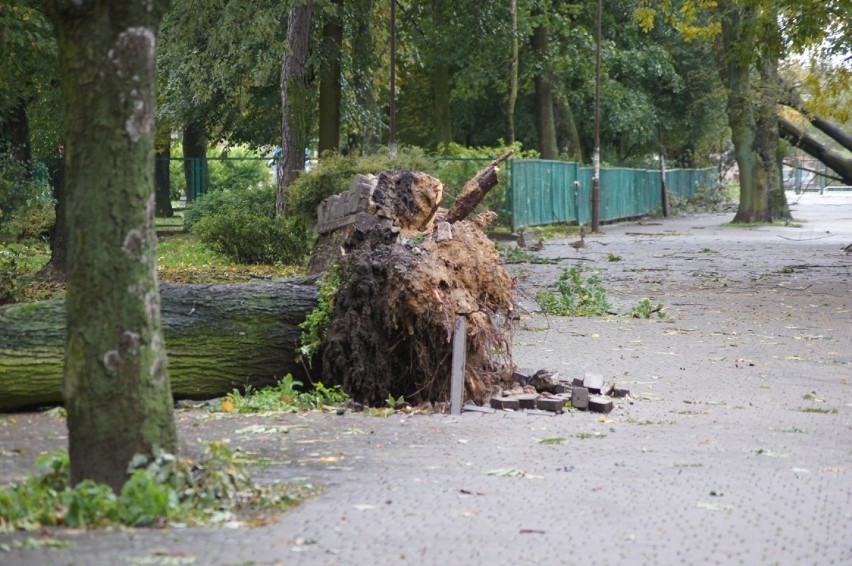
[{"x": 548, "y": 192}]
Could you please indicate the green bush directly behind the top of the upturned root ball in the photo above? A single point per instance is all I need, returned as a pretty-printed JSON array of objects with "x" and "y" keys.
[{"x": 334, "y": 175}]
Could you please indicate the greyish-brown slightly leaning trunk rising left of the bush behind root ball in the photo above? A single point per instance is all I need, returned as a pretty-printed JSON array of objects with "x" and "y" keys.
[{"x": 294, "y": 100}]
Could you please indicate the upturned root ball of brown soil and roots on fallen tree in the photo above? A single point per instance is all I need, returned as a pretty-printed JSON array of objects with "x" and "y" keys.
[{"x": 403, "y": 282}]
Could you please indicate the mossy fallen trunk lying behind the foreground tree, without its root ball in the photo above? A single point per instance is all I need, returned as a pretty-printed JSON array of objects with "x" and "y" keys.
[{"x": 218, "y": 337}]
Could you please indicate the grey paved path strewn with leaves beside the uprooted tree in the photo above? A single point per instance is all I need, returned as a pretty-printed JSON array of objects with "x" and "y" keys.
[{"x": 734, "y": 448}]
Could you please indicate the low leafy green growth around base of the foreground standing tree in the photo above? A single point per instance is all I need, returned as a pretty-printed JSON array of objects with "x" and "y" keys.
[{"x": 161, "y": 491}]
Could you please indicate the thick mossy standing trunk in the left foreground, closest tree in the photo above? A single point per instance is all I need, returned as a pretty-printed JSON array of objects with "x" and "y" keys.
[{"x": 116, "y": 383}]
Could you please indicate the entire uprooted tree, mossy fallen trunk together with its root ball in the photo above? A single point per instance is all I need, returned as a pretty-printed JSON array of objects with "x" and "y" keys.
[{"x": 405, "y": 283}]
